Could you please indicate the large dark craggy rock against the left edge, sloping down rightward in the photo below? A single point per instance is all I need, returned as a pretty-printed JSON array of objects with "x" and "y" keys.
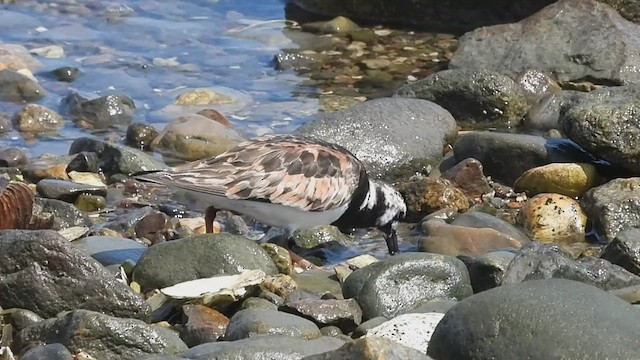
[{"x": 43, "y": 273}]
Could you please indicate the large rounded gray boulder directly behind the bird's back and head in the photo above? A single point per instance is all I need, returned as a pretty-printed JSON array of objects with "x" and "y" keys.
[{"x": 406, "y": 135}]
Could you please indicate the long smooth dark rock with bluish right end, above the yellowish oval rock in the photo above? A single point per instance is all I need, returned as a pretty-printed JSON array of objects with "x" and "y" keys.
[{"x": 506, "y": 156}]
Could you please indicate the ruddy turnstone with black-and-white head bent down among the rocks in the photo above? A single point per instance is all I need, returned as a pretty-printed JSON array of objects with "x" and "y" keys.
[{"x": 287, "y": 182}]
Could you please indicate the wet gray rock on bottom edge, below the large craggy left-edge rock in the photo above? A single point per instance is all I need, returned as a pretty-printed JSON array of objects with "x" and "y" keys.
[{"x": 104, "y": 337}]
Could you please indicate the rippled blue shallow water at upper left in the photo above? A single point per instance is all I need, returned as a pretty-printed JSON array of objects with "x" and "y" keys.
[{"x": 150, "y": 50}]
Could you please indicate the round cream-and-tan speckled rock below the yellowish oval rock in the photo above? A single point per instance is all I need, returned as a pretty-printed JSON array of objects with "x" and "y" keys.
[{"x": 553, "y": 218}]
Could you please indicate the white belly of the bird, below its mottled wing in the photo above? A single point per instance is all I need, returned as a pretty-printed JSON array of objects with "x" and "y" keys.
[{"x": 269, "y": 214}]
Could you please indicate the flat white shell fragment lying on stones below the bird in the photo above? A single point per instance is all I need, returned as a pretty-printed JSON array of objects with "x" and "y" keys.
[{"x": 217, "y": 289}]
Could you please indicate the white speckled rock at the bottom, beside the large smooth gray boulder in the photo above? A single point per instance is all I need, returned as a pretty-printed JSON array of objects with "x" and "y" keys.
[{"x": 412, "y": 330}]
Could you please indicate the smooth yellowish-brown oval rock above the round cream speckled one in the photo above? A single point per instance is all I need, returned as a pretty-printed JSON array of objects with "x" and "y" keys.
[{"x": 568, "y": 179}]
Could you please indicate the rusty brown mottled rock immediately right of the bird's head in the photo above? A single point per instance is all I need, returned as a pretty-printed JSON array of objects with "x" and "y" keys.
[{"x": 431, "y": 194}]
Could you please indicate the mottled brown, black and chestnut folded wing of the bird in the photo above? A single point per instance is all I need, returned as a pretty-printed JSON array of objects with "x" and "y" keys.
[{"x": 308, "y": 174}]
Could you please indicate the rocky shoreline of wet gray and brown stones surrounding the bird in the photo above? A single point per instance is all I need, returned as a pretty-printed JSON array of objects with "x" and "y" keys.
[{"x": 514, "y": 147}]
